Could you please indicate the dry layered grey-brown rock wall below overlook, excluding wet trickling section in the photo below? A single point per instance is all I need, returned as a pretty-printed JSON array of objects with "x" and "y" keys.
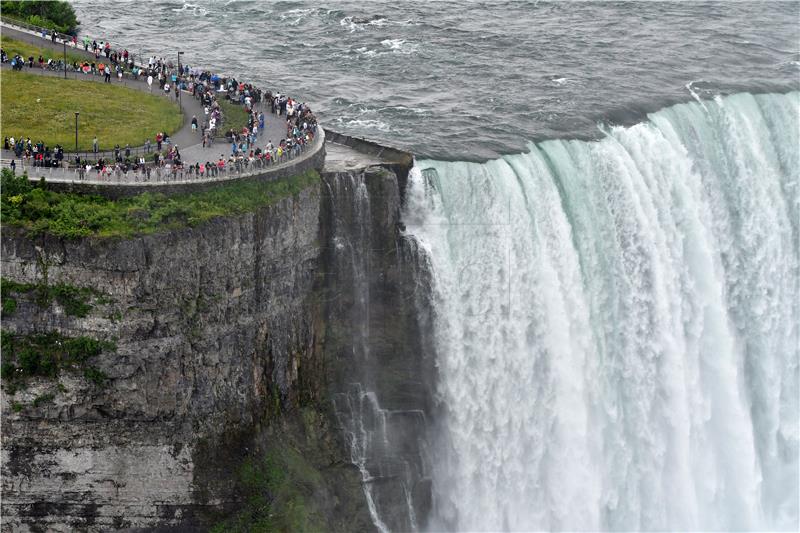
[{"x": 213, "y": 325}]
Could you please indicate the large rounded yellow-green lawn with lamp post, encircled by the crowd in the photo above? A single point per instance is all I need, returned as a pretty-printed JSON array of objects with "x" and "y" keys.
[{"x": 43, "y": 108}]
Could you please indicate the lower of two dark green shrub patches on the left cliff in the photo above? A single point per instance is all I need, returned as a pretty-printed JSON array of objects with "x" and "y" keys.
[{"x": 46, "y": 355}]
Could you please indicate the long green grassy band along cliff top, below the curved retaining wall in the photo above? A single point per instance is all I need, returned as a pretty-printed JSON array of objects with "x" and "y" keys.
[{"x": 70, "y": 215}]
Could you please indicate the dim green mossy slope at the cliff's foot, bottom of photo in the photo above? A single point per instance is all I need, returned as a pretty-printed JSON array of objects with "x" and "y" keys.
[{"x": 295, "y": 481}]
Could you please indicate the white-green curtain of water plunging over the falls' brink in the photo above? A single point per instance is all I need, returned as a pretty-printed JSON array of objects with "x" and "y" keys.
[{"x": 617, "y": 325}]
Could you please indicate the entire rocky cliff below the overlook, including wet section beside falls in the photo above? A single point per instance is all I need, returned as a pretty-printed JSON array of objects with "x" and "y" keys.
[{"x": 231, "y": 339}]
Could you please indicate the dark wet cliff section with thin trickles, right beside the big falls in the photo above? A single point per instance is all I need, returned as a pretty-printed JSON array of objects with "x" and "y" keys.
[{"x": 380, "y": 363}]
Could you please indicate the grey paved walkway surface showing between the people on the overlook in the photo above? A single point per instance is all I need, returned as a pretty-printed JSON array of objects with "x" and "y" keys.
[{"x": 188, "y": 142}]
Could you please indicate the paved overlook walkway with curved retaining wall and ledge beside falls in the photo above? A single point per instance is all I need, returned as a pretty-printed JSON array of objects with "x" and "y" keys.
[{"x": 329, "y": 151}]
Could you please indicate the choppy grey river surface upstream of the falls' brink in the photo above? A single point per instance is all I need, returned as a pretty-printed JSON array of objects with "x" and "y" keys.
[{"x": 505, "y": 58}]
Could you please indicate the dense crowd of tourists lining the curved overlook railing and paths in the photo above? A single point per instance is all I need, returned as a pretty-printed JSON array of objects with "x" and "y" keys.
[{"x": 248, "y": 148}]
